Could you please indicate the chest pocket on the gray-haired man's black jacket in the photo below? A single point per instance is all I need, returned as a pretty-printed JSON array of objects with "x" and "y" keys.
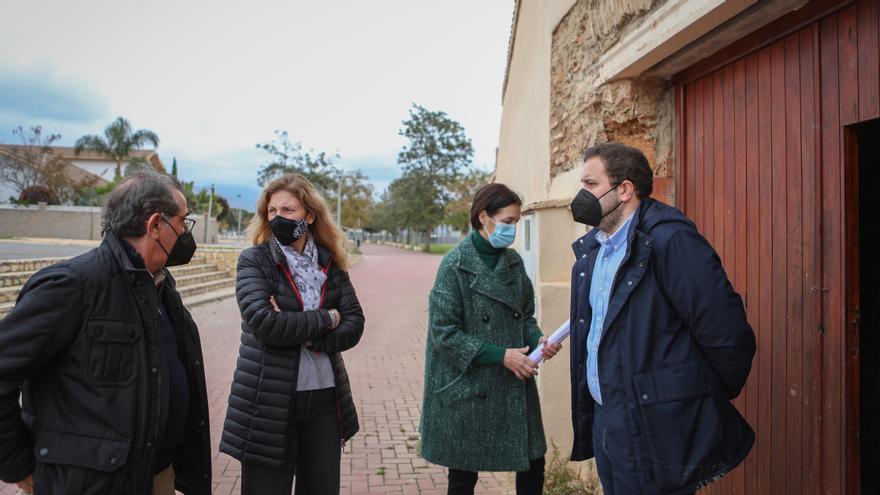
[{"x": 111, "y": 358}]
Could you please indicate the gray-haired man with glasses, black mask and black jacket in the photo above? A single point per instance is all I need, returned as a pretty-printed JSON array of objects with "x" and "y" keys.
[{"x": 107, "y": 361}]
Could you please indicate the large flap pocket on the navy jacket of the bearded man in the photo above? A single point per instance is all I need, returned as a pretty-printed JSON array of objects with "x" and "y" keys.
[{"x": 681, "y": 421}]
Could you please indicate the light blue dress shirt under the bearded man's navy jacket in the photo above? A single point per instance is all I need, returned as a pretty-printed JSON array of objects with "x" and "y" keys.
[{"x": 611, "y": 253}]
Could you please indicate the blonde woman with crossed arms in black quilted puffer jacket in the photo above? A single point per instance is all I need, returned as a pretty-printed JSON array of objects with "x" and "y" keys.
[{"x": 290, "y": 408}]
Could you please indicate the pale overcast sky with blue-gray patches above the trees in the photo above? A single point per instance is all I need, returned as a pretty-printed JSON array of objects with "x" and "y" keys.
[{"x": 213, "y": 78}]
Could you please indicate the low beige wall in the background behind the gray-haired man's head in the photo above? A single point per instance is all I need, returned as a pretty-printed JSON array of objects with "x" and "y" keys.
[{"x": 73, "y": 222}]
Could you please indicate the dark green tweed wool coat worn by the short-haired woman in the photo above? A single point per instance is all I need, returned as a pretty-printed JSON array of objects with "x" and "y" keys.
[{"x": 479, "y": 418}]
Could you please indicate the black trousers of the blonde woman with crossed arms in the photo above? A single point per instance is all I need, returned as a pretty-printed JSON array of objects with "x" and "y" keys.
[{"x": 313, "y": 455}]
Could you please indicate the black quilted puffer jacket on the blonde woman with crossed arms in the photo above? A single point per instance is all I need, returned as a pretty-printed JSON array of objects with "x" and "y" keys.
[{"x": 264, "y": 385}]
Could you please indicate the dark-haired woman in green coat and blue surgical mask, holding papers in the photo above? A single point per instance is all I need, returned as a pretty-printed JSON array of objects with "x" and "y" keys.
[{"x": 481, "y": 409}]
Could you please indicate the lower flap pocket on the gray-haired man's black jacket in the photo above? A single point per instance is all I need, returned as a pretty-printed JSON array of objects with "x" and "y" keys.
[{"x": 70, "y": 463}]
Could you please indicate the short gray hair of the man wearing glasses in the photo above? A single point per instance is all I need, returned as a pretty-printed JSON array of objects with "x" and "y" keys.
[{"x": 141, "y": 194}]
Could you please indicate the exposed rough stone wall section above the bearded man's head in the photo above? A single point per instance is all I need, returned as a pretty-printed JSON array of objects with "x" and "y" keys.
[{"x": 585, "y": 111}]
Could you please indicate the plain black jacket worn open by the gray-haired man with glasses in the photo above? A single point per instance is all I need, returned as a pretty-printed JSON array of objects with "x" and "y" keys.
[{"x": 82, "y": 345}]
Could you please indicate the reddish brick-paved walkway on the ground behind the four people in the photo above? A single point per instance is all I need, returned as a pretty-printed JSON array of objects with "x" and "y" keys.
[{"x": 386, "y": 370}]
